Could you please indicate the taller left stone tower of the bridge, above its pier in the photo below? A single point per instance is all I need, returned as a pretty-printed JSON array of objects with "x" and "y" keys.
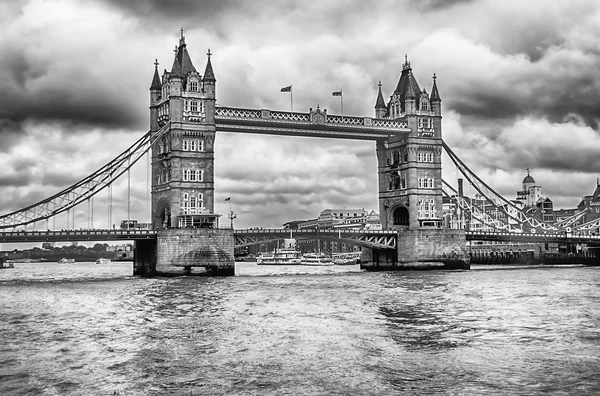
[{"x": 182, "y": 105}]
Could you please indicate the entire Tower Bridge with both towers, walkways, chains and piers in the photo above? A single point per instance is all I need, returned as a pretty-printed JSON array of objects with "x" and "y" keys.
[{"x": 406, "y": 129}]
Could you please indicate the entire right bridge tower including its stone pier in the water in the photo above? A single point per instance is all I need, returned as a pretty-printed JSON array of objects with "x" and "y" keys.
[{"x": 410, "y": 181}]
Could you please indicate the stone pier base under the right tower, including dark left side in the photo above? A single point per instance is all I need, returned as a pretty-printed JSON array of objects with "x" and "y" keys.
[{"x": 425, "y": 249}]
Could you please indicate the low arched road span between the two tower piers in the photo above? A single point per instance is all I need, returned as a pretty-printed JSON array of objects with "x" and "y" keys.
[{"x": 367, "y": 238}]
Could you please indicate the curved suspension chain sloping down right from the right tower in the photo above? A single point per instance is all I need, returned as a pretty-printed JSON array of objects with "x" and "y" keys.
[{"x": 498, "y": 201}]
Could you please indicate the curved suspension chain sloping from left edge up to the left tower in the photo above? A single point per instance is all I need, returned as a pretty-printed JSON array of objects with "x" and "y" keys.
[{"x": 86, "y": 187}]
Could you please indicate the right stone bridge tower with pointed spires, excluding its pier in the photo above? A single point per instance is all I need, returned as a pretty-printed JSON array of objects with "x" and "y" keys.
[{"x": 409, "y": 167}]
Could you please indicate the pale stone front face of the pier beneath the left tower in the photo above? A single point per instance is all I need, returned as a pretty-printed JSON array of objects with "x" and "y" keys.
[{"x": 195, "y": 251}]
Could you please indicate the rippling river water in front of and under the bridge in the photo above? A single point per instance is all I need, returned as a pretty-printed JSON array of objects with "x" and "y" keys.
[{"x": 85, "y": 329}]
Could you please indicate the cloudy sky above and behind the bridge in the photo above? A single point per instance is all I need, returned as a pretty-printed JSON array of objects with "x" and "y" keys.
[{"x": 519, "y": 81}]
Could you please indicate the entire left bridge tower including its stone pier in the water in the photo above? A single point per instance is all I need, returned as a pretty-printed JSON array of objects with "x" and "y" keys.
[{"x": 182, "y": 113}]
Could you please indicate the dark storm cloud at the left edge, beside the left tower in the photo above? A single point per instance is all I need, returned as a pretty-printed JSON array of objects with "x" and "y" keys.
[{"x": 74, "y": 95}]
